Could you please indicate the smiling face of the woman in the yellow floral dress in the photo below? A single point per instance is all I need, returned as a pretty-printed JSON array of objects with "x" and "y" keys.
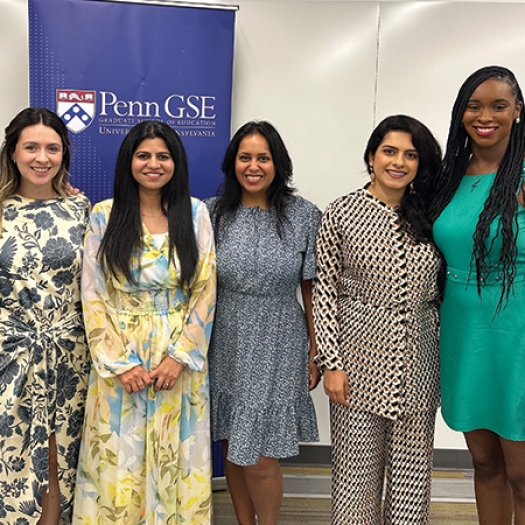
[{"x": 152, "y": 165}]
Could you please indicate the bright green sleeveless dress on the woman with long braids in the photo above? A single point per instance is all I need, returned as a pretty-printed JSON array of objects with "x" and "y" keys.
[{"x": 482, "y": 351}]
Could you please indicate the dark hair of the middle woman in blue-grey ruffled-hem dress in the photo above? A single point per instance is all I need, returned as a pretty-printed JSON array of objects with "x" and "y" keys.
[{"x": 280, "y": 190}]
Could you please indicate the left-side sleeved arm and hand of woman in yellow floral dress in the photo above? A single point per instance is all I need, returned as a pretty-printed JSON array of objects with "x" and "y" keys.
[{"x": 110, "y": 355}]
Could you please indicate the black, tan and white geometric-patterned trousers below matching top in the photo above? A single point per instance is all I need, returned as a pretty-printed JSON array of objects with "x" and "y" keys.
[{"x": 366, "y": 448}]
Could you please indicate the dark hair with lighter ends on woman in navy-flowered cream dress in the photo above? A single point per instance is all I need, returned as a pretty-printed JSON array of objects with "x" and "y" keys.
[{"x": 9, "y": 174}]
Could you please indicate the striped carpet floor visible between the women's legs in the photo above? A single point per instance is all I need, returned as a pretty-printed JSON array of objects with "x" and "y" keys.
[{"x": 307, "y": 498}]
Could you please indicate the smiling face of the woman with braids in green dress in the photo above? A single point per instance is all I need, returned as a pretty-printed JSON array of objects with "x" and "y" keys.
[{"x": 490, "y": 114}]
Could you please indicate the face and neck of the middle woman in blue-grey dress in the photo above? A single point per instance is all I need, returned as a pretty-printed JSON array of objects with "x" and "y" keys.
[{"x": 254, "y": 169}]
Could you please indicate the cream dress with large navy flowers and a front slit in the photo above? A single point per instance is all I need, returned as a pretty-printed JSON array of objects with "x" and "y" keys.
[{"x": 44, "y": 362}]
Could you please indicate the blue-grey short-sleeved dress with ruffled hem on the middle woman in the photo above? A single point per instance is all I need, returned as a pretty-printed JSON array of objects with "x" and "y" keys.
[{"x": 258, "y": 354}]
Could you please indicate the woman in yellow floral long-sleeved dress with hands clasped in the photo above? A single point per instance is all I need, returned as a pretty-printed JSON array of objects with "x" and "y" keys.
[{"x": 148, "y": 289}]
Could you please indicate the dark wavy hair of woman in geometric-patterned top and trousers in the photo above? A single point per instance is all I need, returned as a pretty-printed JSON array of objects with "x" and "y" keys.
[{"x": 413, "y": 208}]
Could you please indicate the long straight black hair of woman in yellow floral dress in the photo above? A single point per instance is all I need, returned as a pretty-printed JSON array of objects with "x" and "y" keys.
[{"x": 124, "y": 230}]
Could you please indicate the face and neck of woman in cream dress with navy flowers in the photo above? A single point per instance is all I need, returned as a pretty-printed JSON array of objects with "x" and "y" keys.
[{"x": 38, "y": 156}]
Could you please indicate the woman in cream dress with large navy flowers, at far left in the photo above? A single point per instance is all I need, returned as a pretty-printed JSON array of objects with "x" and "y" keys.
[{"x": 43, "y": 357}]
